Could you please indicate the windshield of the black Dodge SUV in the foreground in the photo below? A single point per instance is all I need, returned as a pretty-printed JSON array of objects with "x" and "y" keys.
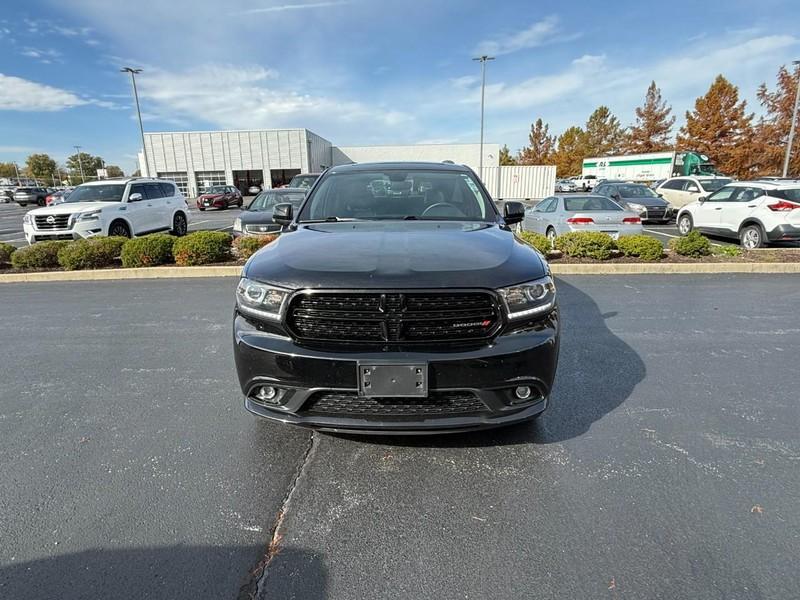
[{"x": 398, "y": 194}]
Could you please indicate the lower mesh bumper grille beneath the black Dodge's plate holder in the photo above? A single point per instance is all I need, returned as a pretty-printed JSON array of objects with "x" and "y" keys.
[{"x": 350, "y": 404}]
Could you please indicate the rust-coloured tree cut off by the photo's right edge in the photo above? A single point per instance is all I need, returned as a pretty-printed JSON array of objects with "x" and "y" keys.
[{"x": 772, "y": 131}]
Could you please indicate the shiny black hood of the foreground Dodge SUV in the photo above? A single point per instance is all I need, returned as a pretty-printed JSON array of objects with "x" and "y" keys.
[{"x": 375, "y": 255}]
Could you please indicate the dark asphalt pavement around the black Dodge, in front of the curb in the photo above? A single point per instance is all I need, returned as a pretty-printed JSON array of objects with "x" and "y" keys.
[{"x": 665, "y": 468}]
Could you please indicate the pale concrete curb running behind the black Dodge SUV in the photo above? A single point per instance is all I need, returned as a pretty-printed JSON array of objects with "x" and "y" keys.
[{"x": 236, "y": 270}]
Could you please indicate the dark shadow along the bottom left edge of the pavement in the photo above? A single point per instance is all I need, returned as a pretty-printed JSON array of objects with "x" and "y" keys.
[{"x": 172, "y": 572}]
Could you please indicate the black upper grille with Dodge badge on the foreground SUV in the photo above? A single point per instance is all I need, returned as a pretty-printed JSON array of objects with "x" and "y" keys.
[{"x": 393, "y": 316}]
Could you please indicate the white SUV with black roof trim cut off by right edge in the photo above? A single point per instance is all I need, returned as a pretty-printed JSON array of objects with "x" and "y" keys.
[{"x": 755, "y": 212}]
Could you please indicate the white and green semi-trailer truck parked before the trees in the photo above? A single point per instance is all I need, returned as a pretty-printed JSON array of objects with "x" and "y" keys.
[{"x": 648, "y": 167}]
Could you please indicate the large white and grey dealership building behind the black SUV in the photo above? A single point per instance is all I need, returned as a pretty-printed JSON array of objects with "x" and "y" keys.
[{"x": 196, "y": 160}]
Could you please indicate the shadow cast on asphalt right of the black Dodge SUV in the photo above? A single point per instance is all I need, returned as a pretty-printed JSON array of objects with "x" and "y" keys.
[{"x": 597, "y": 371}]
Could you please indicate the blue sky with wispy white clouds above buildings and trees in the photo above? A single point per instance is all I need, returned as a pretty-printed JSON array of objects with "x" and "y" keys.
[{"x": 364, "y": 71}]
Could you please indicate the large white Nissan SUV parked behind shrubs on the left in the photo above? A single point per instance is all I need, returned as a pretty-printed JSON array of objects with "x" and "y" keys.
[{"x": 124, "y": 207}]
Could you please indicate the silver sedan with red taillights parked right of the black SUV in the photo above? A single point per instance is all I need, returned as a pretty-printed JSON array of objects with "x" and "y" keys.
[{"x": 557, "y": 215}]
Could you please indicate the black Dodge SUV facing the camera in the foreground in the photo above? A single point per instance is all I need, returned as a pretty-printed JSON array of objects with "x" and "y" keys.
[{"x": 397, "y": 300}]
